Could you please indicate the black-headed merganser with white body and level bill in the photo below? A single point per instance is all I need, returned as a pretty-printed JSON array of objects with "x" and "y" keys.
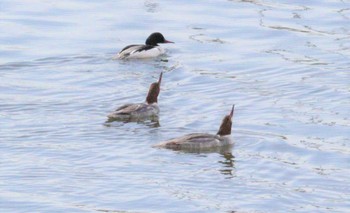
[{"x": 150, "y": 49}]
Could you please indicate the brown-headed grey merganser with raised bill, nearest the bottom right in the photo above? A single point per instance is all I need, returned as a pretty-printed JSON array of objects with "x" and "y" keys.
[{"x": 198, "y": 141}]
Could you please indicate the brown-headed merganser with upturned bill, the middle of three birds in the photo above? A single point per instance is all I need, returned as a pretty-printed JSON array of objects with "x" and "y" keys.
[{"x": 139, "y": 111}]
